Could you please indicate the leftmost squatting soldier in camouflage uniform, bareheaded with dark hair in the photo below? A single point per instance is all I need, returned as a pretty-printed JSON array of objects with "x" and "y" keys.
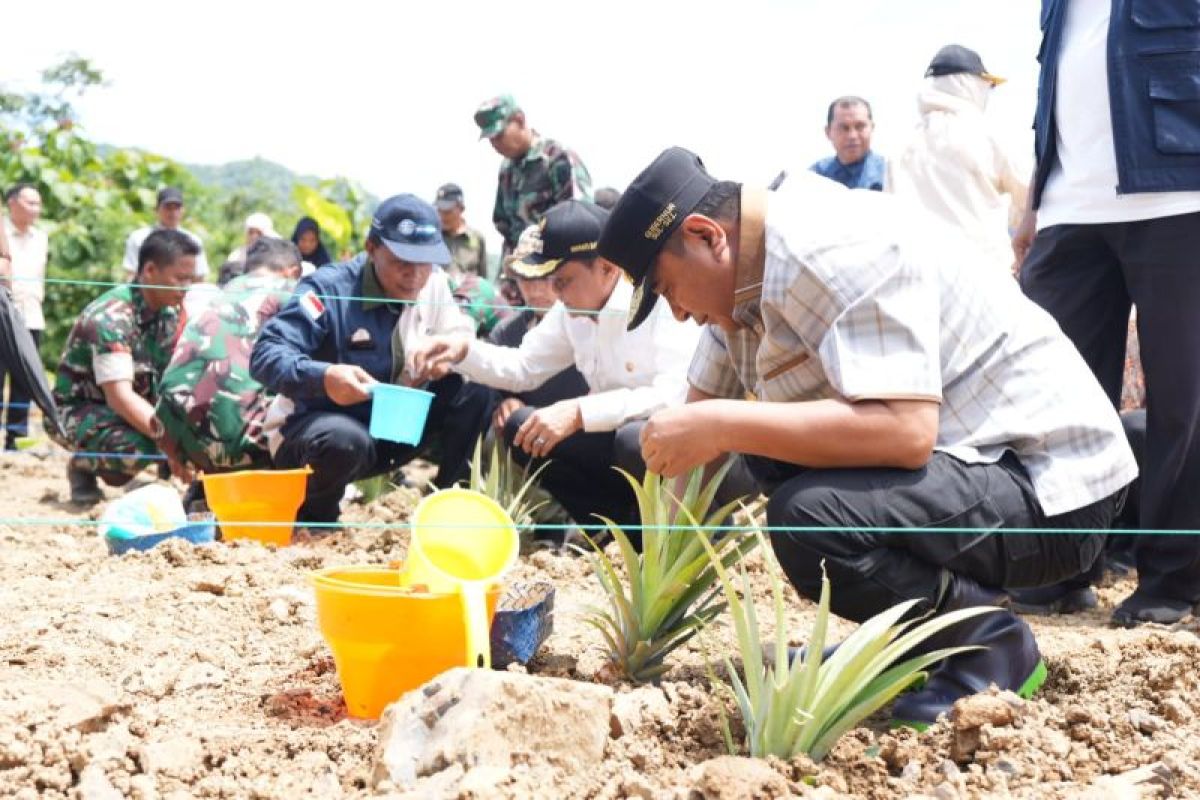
[{"x": 109, "y": 377}]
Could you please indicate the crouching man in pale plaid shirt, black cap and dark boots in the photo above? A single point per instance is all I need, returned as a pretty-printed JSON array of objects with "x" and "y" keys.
[{"x": 899, "y": 387}]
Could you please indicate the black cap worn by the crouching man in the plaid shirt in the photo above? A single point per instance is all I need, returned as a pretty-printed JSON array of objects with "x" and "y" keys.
[{"x": 646, "y": 216}]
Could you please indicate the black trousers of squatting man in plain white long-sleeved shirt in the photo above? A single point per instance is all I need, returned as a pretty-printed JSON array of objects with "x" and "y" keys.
[{"x": 581, "y": 474}]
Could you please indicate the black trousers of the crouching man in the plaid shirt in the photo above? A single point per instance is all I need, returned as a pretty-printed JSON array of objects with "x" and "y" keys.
[{"x": 874, "y": 570}]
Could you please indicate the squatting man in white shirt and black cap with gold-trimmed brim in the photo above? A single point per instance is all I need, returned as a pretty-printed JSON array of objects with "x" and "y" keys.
[{"x": 631, "y": 375}]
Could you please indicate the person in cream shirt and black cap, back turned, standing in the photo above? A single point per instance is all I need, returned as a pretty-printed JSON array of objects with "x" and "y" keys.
[{"x": 955, "y": 166}]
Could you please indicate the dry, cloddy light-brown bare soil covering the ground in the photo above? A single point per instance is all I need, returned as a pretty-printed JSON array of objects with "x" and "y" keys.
[{"x": 200, "y": 672}]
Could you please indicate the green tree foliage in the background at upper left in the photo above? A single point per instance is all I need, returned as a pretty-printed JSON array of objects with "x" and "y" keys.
[{"x": 94, "y": 196}]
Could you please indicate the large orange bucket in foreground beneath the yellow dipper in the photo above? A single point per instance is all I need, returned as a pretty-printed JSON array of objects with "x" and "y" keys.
[{"x": 386, "y": 640}]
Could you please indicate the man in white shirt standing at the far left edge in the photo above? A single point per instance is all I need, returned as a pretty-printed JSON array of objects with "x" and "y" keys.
[{"x": 29, "y": 252}]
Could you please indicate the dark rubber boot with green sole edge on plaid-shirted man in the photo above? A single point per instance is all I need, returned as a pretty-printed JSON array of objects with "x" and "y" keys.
[{"x": 1010, "y": 660}]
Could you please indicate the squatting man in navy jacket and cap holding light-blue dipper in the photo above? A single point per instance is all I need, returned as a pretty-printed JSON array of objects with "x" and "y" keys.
[{"x": 347, "y": 328}]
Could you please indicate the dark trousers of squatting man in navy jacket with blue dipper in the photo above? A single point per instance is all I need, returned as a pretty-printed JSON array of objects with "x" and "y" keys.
[{"x": 340, "y": 449}]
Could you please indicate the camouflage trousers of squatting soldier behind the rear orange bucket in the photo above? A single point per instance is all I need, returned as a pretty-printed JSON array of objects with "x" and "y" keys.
[{"x": 220, "y": 437}]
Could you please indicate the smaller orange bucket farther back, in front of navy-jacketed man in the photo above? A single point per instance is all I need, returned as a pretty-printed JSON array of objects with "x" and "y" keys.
[{"x": 256, "y": 496}]
